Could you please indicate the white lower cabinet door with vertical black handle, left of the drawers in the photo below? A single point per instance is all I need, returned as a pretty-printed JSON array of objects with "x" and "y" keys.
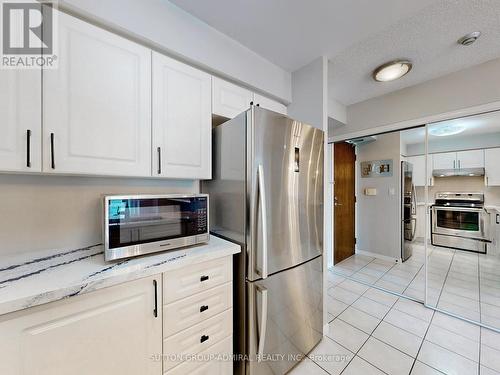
[{"x": 110, "y": 331}]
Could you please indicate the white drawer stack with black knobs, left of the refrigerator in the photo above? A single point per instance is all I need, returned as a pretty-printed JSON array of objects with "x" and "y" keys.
[{"x": 198, "y": 328}]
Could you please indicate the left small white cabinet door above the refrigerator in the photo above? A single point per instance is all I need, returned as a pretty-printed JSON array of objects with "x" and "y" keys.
[{"x": 229, "y": 100}]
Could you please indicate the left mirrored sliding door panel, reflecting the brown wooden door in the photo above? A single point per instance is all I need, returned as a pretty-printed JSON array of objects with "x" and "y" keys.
[{"x": 379, "y": 239}]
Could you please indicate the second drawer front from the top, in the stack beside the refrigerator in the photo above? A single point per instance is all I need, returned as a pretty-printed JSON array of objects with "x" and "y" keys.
[{"x": 189, "y": 311}]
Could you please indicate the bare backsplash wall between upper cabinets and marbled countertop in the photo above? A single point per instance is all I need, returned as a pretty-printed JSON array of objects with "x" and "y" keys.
[{"x": 51, "y": 212}]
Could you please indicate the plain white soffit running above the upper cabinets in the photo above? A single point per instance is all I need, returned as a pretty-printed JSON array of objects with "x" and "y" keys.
[{"x": 174, "y": 31}]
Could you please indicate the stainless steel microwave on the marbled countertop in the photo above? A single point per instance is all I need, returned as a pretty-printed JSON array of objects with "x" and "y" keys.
[{"x": 142, "y": 224}]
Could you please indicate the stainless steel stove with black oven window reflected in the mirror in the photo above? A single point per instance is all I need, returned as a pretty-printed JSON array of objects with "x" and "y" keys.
[{"x": 460, "y": 221}]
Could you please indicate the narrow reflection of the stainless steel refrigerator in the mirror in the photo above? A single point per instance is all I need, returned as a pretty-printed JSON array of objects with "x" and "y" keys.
[{"x": 408, "y": 210}]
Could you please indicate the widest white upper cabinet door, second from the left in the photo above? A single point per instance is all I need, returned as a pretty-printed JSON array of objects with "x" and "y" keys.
[{"x": 97, "y": 104}]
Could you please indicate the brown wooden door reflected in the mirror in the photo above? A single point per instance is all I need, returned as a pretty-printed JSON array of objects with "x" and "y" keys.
[{"x": 344, "y": 201}]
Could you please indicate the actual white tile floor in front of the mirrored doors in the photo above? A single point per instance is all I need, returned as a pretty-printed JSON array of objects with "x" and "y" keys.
[{"x": 375, "y": 332}]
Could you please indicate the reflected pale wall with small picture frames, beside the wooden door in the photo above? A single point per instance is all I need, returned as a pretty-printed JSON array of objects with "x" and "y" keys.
[{"x": 379, "y": 217}]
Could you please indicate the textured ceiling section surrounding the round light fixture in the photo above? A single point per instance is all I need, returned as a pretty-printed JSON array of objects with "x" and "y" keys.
[{"x": 428, "y": 38}]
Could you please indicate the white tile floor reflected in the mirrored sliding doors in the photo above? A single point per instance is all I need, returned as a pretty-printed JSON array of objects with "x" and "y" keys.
[{"x": 464, "y": 283}]
